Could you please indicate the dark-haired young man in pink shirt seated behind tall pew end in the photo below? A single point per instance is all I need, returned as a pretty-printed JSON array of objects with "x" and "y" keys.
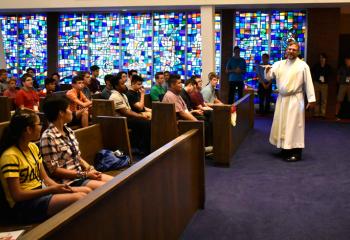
[{"x": 173, "y": 96}]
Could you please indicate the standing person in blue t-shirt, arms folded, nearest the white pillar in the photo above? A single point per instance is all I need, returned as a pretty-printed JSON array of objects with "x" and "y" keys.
[{"x": 236, "y": 68}]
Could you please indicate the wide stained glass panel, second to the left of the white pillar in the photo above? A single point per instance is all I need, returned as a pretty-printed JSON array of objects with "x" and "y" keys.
[{"x": 169, "y": 42}]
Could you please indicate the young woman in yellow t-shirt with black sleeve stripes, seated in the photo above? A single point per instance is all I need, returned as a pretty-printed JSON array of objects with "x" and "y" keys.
[{"x": 30, "y": 193}]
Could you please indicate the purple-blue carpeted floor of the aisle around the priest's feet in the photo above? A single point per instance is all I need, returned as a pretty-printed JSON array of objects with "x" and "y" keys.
[{"x": 262, "y": 197}]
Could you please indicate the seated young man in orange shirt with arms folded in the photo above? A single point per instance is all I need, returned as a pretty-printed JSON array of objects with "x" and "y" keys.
[{"x": 79, "y": 103}]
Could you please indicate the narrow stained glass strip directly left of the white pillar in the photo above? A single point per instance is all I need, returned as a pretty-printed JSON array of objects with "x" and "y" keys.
[{"x": 194, "y": 45}]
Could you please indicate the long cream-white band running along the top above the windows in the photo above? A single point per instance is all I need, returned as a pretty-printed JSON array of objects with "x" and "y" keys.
[{"x": 38, "y": 5}]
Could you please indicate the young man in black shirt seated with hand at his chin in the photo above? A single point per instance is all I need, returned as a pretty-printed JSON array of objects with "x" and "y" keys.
[{"x": 136, "y": 96}]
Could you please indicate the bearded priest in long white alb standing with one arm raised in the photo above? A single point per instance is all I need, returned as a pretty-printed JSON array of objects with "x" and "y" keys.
[{"x": 293, "y": 79}]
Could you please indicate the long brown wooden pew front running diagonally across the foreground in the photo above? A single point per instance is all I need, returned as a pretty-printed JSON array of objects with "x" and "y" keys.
[{"x": 153, "y": 199}]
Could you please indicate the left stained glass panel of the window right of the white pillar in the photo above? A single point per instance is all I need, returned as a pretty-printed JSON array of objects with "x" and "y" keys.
[{"x": 251, "y": 35}]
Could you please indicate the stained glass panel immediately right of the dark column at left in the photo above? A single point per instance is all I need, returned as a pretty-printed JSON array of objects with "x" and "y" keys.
[{"x": 73, "y": 47}]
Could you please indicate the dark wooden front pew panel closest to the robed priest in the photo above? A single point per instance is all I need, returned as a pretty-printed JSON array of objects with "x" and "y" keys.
[{"x": 226, "y": 138}]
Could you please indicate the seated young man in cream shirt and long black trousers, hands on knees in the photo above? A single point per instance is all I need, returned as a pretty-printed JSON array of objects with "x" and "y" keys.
[{"x": 140, "y": 124}]
